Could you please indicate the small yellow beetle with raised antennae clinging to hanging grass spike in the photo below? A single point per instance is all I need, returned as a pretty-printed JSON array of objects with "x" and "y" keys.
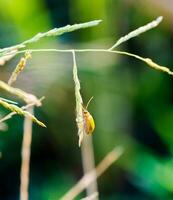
[{"x": 89, "y": 124}]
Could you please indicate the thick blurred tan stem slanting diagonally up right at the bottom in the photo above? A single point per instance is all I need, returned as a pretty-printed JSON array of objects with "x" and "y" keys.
[{"x": 88, "y": 178}]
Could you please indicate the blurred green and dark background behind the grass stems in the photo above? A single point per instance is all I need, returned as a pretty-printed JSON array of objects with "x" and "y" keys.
[{"x": 132, "y": 106}]
